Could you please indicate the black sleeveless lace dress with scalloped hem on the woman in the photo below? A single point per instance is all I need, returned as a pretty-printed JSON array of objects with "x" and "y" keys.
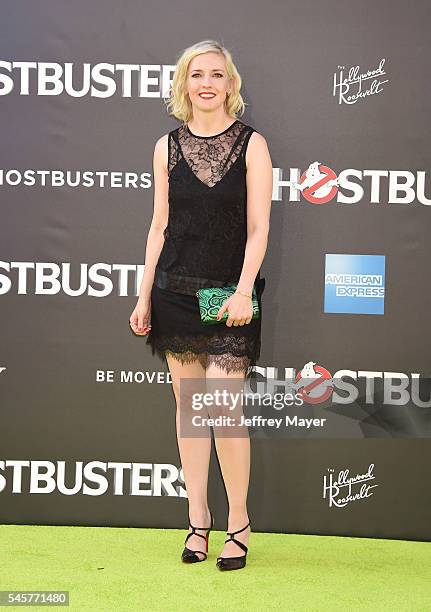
[{"x": 204, "y": 246}]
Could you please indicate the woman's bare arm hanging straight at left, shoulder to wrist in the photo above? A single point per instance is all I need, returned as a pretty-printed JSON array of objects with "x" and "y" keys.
[{"x": 155, "y": 238}]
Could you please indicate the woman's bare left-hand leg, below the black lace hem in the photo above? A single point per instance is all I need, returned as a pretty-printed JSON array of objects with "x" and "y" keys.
[{"x": 194, "y": 451}]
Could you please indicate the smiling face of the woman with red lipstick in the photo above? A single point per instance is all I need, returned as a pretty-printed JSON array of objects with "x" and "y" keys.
[{"x": 207, "y": 74}]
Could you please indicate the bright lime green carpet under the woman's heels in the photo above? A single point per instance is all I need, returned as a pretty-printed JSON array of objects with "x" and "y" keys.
[{"x": 140, "y": 569}]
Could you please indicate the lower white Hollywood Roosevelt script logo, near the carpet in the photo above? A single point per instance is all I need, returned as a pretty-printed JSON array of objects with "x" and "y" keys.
[{"x": 343, "y": 489}]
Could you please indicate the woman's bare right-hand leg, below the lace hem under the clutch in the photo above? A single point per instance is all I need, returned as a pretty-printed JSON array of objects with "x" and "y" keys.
[{"x": 233, "y": 451}]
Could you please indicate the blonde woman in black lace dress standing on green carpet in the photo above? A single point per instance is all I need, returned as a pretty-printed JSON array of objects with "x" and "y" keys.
[{"x": 213, "y": 187}]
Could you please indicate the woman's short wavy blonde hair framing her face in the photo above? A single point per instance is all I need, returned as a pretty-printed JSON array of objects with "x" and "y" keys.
[{"x": 178, "y": 103}]
